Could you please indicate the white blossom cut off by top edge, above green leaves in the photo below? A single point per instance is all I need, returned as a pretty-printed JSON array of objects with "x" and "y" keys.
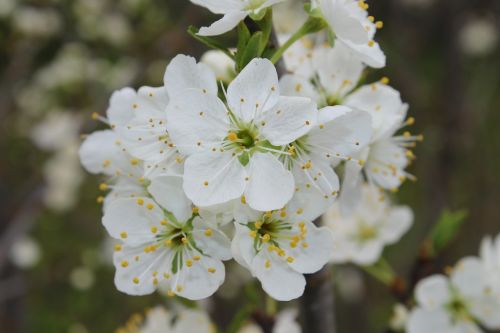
[{"x": 234, "y": 12}]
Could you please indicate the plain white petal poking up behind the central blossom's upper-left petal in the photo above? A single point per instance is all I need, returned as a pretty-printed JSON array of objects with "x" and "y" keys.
[{"x": 184, "y": 73}]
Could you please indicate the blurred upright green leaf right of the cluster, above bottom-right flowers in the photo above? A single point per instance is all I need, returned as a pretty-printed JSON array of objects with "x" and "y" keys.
[{"x": 446, "y": 229}]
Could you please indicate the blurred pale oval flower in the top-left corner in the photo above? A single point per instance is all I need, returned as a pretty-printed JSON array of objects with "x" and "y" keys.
[{"x": 37, "y": 22}]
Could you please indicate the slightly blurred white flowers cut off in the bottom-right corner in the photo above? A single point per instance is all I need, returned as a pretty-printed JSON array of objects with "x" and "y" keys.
[{"x": 464, "y": 301}]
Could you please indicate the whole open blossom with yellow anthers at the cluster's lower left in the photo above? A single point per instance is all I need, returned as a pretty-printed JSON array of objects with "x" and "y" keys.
[{"x": 161, "y": 248}]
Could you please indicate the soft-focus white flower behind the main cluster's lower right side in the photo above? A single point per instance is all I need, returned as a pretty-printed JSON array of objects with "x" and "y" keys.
[{"x": 374, "y": 224}]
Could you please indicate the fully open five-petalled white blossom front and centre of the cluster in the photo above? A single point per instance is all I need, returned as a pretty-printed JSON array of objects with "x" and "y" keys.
[{"x": 232, "y": 151}]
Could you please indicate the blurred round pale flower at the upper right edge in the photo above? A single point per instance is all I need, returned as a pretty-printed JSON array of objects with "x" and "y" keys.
[{"x": 479, "y": 36}]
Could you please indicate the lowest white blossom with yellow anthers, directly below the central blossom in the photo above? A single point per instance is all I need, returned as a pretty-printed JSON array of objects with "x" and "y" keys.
[{"x": 278, "y": 250}]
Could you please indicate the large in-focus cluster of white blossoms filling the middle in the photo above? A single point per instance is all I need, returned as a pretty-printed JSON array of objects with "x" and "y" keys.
[{"x": 263, "y": 154}]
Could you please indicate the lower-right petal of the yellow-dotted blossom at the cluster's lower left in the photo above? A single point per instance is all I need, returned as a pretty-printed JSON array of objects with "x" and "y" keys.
[{"x": 201, "y": 280}]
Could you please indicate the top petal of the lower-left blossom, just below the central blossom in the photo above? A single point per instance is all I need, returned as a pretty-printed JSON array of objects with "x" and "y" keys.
[{"x": 168, "y": 192}]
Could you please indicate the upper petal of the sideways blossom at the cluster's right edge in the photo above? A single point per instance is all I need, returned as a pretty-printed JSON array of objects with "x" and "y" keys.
[{"x": 383, "y": 103}]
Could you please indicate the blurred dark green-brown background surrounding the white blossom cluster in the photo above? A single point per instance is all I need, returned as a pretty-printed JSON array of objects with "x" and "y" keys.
[{"x": 61, "y": 59}]
